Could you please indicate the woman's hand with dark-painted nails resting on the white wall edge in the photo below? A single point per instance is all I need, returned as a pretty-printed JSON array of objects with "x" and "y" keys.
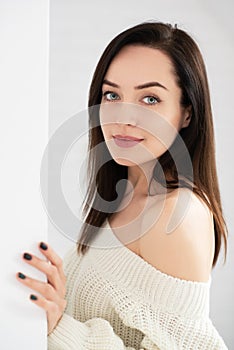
[{"x": 53, "y": 291}]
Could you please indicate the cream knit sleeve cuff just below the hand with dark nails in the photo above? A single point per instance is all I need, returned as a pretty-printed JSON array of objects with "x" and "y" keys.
[{"x": 71, "y": 334}]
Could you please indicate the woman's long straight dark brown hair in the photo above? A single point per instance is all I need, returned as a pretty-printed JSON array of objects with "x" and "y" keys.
[{"x": 198, "y": 136}]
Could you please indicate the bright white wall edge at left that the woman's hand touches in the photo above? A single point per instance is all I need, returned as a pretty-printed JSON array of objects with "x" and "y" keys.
[{"x": 23, "y": 136}]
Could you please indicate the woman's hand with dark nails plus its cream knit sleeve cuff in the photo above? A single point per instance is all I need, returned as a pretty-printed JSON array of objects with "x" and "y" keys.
[{"x": 64, "y": 331}]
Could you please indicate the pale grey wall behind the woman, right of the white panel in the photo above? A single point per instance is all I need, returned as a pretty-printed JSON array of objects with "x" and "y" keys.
[{"x": 79, "y": 33}]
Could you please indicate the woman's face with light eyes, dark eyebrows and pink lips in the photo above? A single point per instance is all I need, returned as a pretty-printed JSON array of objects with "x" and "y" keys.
[{"x": 144, "y": 77}]
